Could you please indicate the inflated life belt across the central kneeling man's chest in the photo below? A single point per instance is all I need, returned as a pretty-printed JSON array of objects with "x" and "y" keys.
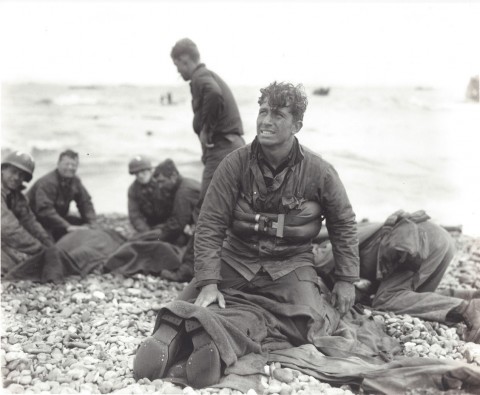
[{"x": 299, "y": 224}]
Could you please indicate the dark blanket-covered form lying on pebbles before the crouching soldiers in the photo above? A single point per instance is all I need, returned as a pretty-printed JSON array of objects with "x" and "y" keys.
[{"x": 88, "y": 250}]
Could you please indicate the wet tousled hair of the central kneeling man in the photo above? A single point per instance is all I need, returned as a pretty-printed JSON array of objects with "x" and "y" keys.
[{"x": 284, "y": 94}]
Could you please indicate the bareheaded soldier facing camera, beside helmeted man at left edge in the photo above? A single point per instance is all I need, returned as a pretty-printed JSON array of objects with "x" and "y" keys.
[{"x": 51, "y": 195}]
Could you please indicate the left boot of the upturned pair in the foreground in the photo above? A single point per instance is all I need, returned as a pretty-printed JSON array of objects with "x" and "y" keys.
[{"x": 161, "y": 350}]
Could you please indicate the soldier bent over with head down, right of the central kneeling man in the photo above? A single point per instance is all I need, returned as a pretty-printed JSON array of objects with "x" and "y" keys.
[{"x": 403, "y": 261}]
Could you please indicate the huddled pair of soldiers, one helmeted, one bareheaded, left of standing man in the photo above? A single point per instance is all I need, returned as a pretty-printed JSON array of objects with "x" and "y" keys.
[{"x": 160, "y": 202}]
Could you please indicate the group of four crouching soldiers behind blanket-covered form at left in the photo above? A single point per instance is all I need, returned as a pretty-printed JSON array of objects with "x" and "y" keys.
[{"x": 161, "y": 205}]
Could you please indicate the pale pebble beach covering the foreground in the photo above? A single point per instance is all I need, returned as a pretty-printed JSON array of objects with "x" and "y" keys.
[{"x": 80, "y": 336}]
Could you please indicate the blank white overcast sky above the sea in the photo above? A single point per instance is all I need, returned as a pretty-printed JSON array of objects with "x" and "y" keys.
[{"x": 431, "y": 43}]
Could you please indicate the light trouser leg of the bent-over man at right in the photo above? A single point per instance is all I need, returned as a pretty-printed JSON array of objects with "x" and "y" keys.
[{"x": 407, "y": 292}]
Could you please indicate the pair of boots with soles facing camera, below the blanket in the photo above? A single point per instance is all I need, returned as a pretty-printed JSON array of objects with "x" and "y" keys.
[{"x": 170, "y": 344}]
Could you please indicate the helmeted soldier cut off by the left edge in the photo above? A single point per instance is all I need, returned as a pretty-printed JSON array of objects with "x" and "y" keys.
[{"x": 22, "y": 235}]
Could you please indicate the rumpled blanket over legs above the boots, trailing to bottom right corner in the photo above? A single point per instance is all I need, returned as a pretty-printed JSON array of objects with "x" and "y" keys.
[{"x": 252, "y": 331}]
